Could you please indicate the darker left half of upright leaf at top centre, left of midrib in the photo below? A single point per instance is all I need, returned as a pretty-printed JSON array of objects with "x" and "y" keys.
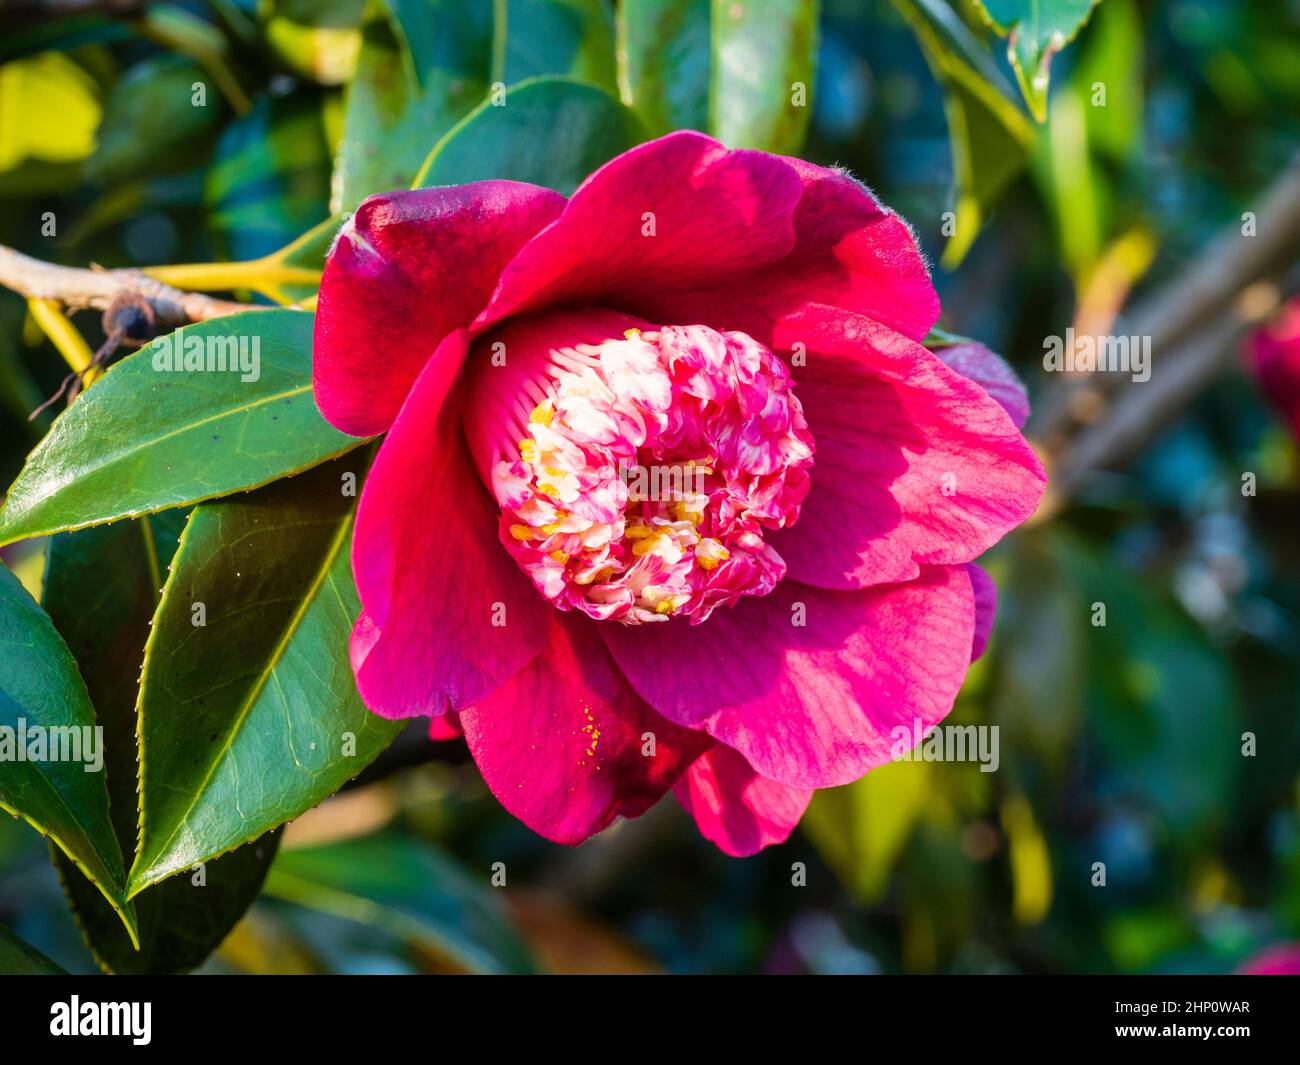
[{"x": 665, "y": 53}]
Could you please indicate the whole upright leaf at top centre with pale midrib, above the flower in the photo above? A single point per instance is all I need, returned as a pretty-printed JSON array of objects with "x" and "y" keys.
[{"x": 740, "y": 72}]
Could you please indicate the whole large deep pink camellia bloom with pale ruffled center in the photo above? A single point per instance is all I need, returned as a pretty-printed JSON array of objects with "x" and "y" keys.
[{"x": 671, "y": 493}]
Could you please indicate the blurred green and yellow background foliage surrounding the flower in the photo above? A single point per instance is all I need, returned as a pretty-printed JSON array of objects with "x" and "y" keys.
[{"x": 1120, "y": 743}]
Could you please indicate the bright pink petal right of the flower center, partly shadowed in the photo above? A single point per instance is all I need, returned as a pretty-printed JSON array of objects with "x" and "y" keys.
[{"x": 916, "y": 465}]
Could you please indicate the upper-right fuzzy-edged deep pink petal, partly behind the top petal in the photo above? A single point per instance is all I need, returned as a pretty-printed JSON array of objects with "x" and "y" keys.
[{"x": 851, "y": 253}]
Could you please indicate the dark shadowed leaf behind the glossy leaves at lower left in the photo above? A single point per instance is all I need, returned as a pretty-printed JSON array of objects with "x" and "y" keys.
[{"x": 102, "y": 588}]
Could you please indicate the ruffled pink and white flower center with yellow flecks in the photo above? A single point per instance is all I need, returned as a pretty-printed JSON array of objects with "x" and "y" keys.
[{"x": 639, "y": 467}]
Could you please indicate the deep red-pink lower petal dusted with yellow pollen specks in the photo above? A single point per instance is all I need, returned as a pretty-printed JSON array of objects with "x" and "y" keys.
[{"x": 565, "y": 743}]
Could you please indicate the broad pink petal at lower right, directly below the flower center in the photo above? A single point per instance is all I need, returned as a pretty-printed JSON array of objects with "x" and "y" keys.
[{"x": 811, "y": 705}]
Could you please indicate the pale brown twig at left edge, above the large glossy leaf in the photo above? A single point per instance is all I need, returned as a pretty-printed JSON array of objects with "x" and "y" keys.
[{"x": 77, "y": 289}]
